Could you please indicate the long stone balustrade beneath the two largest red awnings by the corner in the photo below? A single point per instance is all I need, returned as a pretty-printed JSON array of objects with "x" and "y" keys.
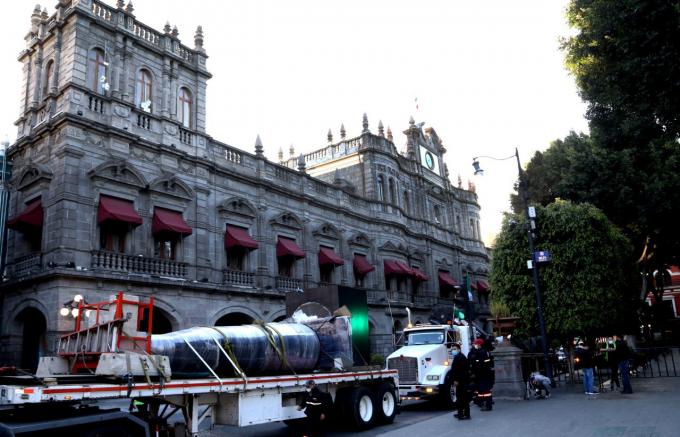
[{"x": 120, "y": 262}]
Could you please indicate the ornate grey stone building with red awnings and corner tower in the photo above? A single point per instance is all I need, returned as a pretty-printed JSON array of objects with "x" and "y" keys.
[{"x": 117, "y": 186}]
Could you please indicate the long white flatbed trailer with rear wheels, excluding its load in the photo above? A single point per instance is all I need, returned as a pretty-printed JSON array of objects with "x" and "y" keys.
[{"x": 362, "y": 397}]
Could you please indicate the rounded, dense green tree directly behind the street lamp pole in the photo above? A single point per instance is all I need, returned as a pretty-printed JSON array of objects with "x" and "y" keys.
[{"x": 587, "y": 287}]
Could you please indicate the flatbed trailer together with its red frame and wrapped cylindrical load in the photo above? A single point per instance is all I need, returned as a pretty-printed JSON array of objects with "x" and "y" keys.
[{"x": 112, "y": 356}]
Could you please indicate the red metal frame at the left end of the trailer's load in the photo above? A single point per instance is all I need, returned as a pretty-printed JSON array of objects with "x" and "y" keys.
[{"x": 90, "y": 359}]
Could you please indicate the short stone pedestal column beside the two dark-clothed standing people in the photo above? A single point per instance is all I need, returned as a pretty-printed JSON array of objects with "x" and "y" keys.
[{"x": 508, "y": 364}]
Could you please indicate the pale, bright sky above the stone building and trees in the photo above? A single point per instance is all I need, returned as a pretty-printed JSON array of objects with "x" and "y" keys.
[{"x": 488, "y": 75}]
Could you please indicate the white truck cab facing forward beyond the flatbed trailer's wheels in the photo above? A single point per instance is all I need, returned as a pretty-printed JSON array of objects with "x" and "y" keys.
[{"x": 424, "y": 362}]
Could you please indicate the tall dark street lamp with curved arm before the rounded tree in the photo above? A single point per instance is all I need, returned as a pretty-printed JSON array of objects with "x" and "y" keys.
[{"x": 530, "y": 234}]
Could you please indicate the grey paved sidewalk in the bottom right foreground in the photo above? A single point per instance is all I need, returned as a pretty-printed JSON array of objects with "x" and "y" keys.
[{"x": 652, "y": 411}]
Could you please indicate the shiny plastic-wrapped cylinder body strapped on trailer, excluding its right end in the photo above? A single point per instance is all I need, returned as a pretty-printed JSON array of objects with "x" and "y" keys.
[{"x": 251, "y": 346}]
